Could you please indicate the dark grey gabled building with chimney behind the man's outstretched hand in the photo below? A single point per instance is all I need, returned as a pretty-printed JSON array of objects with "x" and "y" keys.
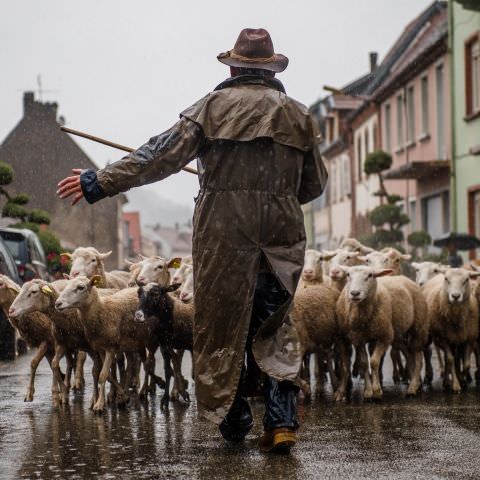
[{"x": 41, "y": 154}]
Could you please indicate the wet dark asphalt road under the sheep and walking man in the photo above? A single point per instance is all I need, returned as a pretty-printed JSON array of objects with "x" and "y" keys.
[{"x": 434, "y": 436}]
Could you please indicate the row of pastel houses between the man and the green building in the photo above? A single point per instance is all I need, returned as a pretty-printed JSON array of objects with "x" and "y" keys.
[{"x": 401, "y": 106}]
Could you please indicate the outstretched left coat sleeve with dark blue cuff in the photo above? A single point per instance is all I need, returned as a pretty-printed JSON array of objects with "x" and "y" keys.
[{"x": 160, "y": 157}]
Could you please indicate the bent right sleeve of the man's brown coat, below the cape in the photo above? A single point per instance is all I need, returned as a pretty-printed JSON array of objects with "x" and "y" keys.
[{"x": 314, "y": 174}]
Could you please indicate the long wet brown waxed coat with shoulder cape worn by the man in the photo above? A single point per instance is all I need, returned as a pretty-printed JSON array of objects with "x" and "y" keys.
[{"x": 258, "y": 161}]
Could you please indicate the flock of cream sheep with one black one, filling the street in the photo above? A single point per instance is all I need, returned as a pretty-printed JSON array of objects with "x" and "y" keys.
[{"x": 351, "y": 306}]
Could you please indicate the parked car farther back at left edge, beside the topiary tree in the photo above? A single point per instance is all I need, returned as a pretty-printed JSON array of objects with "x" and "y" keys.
[{"x": 27, "y": 251}]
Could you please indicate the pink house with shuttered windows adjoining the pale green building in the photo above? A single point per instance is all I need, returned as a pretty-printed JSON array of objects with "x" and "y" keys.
[{"x": 414, "y": 114}]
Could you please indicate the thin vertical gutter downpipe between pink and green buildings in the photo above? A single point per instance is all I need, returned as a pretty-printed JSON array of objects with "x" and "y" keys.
[{"x": 453, "y": 145}]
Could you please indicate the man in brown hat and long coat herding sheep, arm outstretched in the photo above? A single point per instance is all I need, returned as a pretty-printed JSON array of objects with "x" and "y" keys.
[{"x": 258, "y": 161}]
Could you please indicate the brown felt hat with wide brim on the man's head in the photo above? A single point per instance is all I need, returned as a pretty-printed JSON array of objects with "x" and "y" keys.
[{"x": 254, "y": 49}]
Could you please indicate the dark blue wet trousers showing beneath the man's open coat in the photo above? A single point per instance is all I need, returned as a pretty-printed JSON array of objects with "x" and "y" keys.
[{"x": 280, "y": 397}]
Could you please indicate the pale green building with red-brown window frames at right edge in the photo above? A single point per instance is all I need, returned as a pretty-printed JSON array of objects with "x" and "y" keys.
[{"x": 464, "y": 43}]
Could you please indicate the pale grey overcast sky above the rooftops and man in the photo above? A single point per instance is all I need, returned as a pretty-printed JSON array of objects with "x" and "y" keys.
[{"x": 124, "y": 70}]
